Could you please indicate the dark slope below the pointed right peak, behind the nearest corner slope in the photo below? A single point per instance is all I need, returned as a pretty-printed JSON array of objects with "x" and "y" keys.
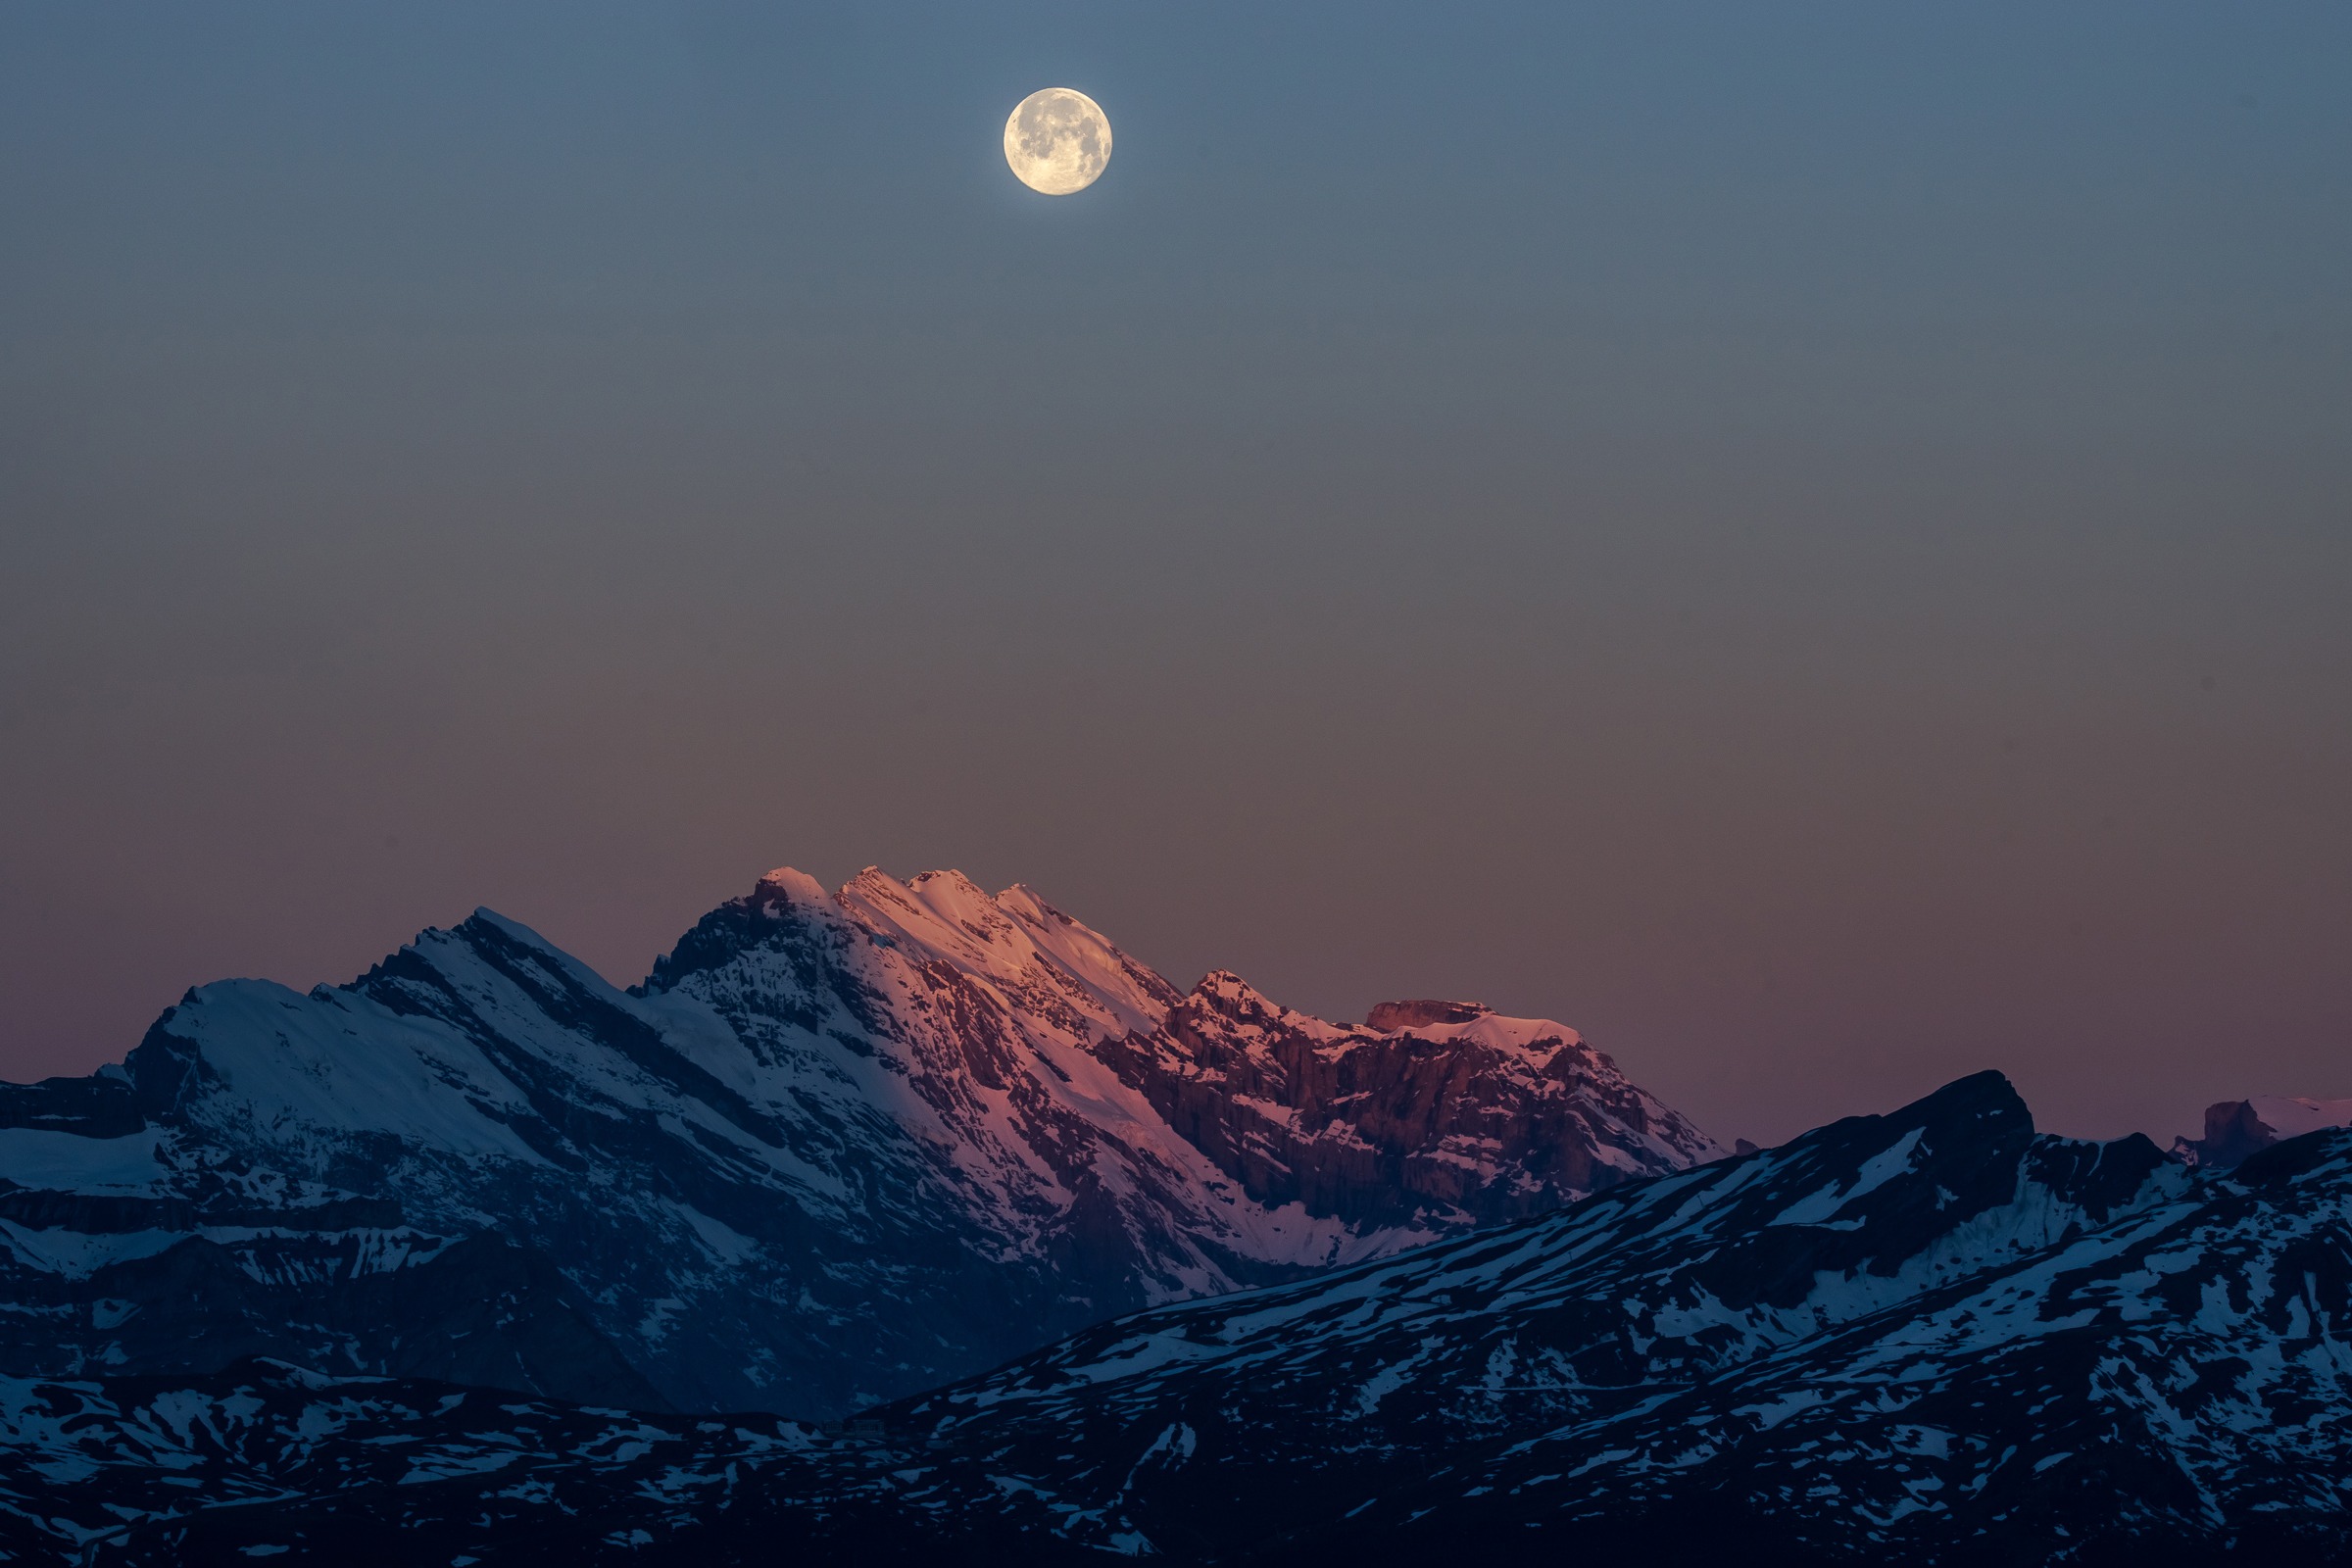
[{"x": 1558, "y": 1320}]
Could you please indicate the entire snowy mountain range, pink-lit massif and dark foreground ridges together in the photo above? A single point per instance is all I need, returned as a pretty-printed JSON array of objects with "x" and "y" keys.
[{"x": 914, "y": 1226}]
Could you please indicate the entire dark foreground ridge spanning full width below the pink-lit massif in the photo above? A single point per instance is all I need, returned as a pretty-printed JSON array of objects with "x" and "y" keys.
[{"x": 1916, "y": 1339}]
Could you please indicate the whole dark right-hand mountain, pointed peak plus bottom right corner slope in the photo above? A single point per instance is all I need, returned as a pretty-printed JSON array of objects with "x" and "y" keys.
[{"x": 1925, "y": 1339}]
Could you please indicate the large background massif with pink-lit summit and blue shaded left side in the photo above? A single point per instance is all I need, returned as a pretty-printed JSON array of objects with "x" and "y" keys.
[{"x": 834, "y": 1151}]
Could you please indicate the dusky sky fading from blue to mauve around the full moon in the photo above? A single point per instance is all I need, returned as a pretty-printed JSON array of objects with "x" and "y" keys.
[{"x": 1808, "y": 542}]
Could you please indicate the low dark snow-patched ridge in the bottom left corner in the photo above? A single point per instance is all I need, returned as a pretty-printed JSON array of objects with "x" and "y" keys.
[{"x": 166, "y": 1470}]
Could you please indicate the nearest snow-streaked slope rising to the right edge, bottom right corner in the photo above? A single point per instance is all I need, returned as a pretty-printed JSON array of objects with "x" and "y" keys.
[{"x": 2174, "y": 1383}]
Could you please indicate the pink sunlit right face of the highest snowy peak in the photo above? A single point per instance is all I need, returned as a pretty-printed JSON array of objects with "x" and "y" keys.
[{"x": 1431, "y": 1118}]
